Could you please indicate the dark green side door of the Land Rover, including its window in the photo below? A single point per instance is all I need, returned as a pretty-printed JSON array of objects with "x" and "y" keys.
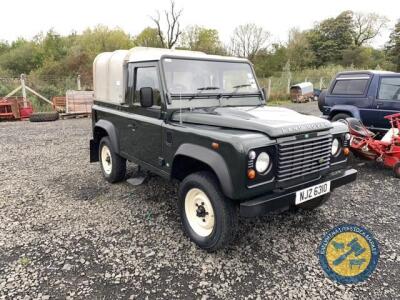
[{"x": 145, "y": 125}]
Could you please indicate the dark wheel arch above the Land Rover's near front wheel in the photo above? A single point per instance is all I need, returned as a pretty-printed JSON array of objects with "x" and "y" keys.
[{"x": 191, "y": 158}]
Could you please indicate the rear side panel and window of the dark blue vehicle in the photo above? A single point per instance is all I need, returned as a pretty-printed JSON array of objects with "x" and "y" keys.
[{"x": 352, "y": 89}]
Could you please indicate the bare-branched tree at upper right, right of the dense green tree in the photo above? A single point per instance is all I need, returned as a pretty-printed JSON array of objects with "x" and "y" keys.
[{"x": 366, "y": 27}]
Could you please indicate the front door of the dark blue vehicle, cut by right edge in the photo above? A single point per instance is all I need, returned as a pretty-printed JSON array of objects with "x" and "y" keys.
[{"x": 388, "y": 98}]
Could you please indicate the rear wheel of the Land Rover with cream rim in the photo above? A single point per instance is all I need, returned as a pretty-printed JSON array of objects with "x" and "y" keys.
[{"x": 112, "y": 165}]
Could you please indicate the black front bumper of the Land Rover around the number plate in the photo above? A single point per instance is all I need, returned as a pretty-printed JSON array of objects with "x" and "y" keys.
[{"x": 284, "y": 199}]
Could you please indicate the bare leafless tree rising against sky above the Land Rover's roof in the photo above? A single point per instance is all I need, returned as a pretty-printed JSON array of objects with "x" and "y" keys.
[{"x": 170, "y": 35}]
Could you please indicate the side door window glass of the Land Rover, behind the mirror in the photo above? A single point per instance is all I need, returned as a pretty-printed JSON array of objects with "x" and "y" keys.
[{"x": 147, "y": 77}]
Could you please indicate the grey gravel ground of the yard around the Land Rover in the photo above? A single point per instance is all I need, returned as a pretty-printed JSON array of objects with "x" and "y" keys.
[{"x": 66, "y": 233}]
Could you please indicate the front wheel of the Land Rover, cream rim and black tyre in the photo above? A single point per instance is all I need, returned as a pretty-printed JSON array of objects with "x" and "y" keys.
[{"x": 208, "y": 218}]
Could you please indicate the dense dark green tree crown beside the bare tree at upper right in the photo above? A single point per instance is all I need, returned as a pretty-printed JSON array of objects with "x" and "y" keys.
[{"x": 330, "y": 37}]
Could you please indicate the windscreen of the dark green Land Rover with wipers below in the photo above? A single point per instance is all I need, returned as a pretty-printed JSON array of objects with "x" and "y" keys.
[{"x": 201, "y": 77}]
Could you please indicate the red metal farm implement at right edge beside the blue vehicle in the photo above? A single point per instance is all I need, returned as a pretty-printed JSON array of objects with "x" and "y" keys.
[{"x": 385, "y": 151}]
